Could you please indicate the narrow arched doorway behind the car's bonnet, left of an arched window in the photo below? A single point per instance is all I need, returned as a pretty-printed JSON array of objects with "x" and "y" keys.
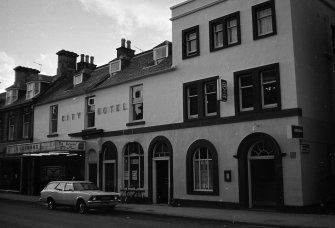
[{"x": 109, "y": 171}]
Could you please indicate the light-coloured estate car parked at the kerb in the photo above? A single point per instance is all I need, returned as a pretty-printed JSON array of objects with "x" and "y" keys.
[{"x": 81, "y": 194}]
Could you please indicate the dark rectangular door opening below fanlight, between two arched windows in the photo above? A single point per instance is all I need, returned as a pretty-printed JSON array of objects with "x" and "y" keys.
[{"x": 162, "y": 181}]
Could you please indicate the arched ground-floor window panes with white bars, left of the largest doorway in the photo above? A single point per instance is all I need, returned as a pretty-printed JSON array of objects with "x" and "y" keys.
[{"x": 202, "y": 169}]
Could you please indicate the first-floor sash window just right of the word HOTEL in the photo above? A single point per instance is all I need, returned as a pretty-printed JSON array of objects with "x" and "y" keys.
[{"x": 136, "y": 108}]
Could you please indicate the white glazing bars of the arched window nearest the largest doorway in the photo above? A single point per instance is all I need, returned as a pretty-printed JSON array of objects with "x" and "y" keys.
[{"x": 206, "y": 160}]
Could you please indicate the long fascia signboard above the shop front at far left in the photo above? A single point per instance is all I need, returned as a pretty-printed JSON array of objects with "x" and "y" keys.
[{"x": 57, "y": 145}]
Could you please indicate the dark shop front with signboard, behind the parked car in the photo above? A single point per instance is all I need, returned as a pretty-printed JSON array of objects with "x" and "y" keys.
[{"x": 43, "y": 162}]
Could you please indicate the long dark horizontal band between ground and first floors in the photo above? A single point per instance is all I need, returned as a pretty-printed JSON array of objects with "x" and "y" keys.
[{"x": 202, "y": 123}]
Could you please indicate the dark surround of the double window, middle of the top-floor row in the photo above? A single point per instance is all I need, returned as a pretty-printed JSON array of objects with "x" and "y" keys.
[{"x": 223, "y": 21}]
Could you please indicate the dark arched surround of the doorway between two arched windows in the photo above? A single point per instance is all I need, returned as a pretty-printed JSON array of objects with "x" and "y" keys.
[{"x": 150, "y": 171}]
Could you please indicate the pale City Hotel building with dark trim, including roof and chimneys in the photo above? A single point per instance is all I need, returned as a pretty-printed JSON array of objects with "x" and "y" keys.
[{"x": 237, "y": 112}]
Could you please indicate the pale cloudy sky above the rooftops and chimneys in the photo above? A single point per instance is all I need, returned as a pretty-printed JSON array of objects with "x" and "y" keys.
[{"x": 33, "y": 31}]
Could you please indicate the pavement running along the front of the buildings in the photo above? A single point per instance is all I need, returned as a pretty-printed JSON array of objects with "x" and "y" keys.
[{"x": 252, "y": 217}]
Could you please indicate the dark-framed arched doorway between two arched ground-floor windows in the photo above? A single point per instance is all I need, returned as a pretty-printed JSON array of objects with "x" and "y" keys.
[{"x": 160, "y": 162}]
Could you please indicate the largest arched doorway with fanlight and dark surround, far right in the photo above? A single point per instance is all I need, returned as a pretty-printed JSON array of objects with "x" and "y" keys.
[{"x": 260, "y": 172}]
